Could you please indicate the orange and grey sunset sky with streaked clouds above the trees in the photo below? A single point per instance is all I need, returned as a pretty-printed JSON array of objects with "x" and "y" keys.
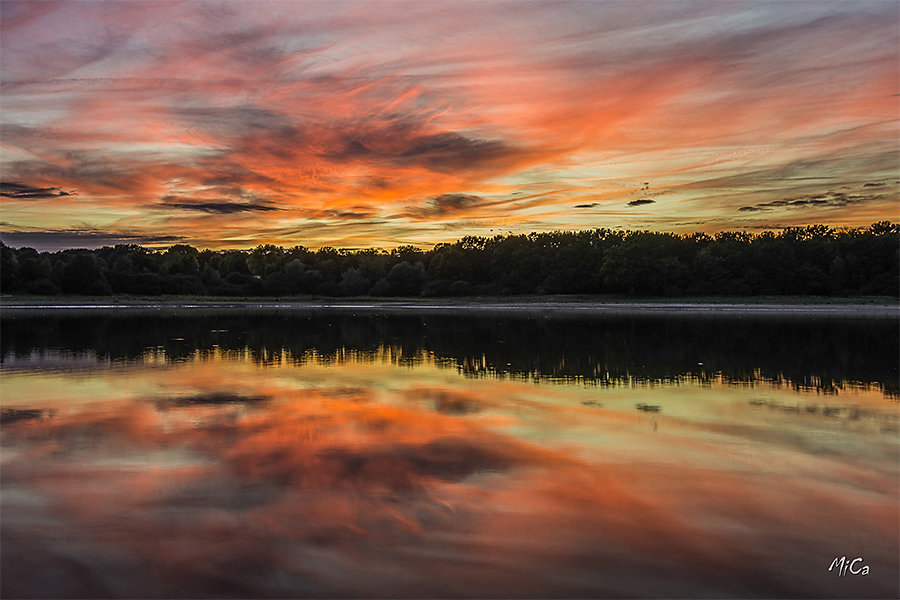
[{"x": 385, "y": 123}]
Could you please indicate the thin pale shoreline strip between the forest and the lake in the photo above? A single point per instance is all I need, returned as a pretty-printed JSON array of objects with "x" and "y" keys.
[{"x": 795, "y": 307}]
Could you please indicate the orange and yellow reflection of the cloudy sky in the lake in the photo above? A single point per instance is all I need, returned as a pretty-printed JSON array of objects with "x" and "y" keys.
[{"x": 220, "y": 477}]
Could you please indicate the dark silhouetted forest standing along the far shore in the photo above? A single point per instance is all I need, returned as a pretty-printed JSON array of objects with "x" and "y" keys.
[{"x": 812, "y": 260}]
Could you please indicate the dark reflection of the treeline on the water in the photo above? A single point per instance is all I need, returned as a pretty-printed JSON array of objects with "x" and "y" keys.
[{"x": 822, "y": 354}]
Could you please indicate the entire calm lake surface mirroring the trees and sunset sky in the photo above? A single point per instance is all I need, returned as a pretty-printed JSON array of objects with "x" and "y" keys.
[{"x": 333, "y": 455}]
